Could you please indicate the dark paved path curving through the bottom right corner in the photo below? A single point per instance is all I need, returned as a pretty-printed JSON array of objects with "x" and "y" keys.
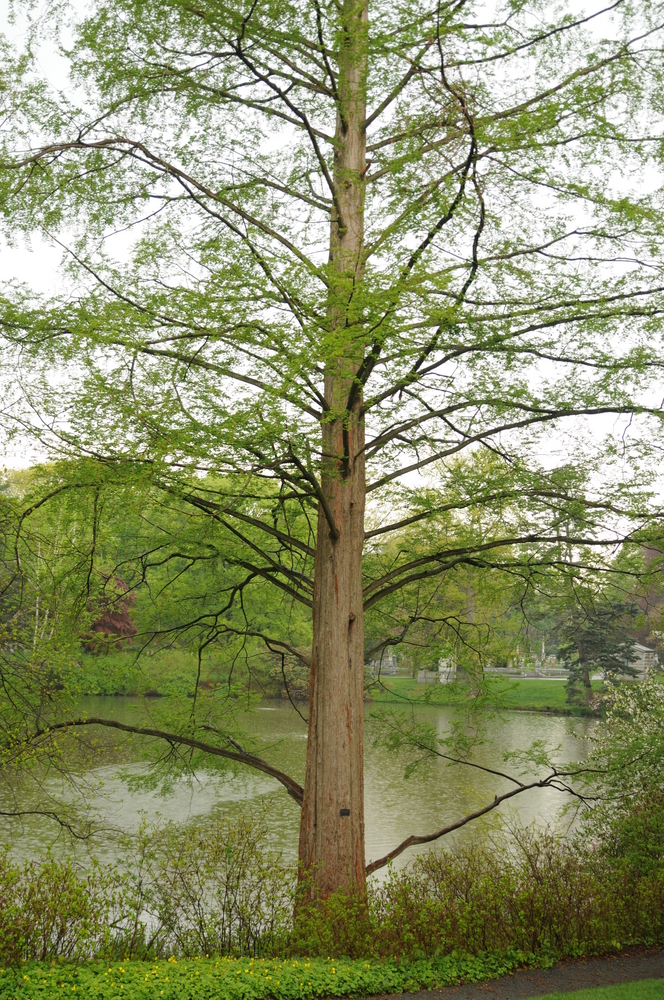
[{"x": 564, "y": 977}]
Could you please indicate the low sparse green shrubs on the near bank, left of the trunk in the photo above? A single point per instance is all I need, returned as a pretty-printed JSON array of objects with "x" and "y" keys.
[{"x": 206, "y": 888}]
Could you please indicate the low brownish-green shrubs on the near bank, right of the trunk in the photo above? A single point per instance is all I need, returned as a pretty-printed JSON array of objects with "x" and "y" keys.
[{"x": 542, "y": 896}]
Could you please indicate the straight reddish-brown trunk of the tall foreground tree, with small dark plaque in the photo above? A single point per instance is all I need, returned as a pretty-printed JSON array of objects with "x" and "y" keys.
[{"x": 332, "y": 826}]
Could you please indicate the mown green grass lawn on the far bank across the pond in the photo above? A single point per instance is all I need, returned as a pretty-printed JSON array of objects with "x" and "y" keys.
[{"x": 535, "y": 694}]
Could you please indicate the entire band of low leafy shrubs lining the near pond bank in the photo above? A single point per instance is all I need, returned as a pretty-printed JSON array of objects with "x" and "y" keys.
[{"x": 211, "y": 888}]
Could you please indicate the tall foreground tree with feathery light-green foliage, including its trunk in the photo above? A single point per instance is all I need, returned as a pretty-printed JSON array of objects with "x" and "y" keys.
[{"x": 313, "y": 251}]
